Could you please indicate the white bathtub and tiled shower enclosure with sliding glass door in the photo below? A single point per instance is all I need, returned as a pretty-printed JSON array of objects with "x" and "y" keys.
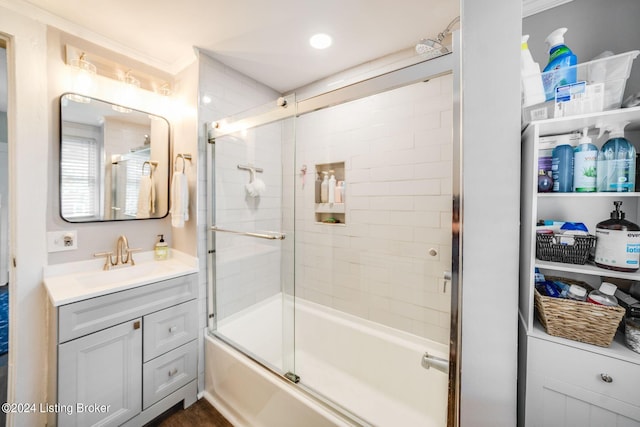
[{"x": 336, "y": 309}]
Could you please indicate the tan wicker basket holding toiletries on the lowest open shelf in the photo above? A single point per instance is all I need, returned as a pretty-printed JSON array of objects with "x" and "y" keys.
[{"x": 577, "y": 320}]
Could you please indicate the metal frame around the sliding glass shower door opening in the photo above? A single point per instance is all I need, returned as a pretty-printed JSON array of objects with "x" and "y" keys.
[{"x": 399, "y": 77}]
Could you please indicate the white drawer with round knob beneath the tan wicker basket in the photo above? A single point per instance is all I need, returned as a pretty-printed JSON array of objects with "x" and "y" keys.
[{"x": 597, "y": 373}]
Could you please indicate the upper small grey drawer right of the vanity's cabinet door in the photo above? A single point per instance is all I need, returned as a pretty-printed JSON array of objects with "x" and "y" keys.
[{"x": 169, "y": 328}]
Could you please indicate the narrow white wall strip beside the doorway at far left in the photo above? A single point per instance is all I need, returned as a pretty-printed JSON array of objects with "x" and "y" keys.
[{"x": 28, "y": 157}]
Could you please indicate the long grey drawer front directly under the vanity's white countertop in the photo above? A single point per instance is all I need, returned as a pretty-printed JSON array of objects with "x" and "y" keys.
[{"x": 94, "y": 314}]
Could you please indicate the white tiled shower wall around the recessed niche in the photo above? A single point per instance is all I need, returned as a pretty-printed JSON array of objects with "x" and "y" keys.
[{"x": 397, "y": 150}]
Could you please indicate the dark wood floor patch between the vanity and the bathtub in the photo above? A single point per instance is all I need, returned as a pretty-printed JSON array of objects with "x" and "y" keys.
[{"x": 200, "y": 414}]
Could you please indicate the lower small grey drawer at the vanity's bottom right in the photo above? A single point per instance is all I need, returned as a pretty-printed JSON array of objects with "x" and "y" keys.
[{"x": 167, "y": 373}]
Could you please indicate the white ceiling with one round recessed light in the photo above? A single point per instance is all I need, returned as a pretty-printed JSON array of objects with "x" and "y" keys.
[{"x": 266, "y": 40}]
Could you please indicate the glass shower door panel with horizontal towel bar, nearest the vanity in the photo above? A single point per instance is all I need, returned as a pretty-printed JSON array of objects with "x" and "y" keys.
[{"x": 251, "y": 242}]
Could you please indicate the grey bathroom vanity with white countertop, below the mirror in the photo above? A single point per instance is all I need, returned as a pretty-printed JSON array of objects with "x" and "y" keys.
[{"x": 122, "y": 343}]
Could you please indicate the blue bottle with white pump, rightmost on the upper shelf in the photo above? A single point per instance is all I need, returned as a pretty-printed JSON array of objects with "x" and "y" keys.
[{"x": 616, "y": 160}]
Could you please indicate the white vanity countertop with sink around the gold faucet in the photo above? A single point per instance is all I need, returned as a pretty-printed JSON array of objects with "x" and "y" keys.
[{"x": 76, "y": 281}]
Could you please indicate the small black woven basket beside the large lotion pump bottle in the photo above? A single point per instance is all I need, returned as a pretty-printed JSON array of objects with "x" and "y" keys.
[{"x": 549, "y": 248}]
